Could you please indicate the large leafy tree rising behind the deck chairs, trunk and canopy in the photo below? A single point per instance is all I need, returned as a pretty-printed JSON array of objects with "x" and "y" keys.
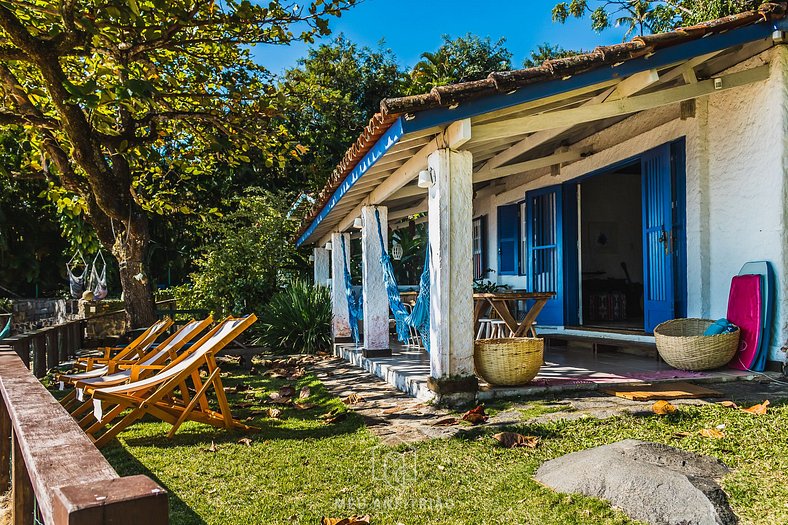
[{"x": 128, "y": 103}]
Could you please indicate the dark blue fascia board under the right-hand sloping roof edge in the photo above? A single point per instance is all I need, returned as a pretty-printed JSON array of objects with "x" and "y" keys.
[{"x": 664, "y": 57}]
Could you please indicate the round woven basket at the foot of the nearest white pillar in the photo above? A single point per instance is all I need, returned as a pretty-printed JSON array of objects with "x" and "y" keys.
[{"x": 508, "y": 362}]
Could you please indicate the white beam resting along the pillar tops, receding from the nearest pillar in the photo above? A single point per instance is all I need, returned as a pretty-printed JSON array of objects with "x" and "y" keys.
[{"x": 454, "y": 136}]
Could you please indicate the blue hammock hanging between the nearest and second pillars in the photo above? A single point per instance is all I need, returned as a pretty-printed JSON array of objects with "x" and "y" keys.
[{"x": 419, "y": 318}]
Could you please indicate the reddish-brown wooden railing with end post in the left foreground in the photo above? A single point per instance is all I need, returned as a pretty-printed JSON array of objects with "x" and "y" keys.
[{"x": 56, "y": 475}]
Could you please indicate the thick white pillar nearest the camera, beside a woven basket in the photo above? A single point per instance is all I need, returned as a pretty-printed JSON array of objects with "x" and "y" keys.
[{"x": 451, "y": 264}]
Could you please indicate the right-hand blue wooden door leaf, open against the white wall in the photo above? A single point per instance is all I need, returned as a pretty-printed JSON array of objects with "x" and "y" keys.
[{"x": 658, "y": 238}]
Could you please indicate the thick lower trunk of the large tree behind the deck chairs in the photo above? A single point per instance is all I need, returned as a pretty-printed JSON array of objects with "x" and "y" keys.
[{"x": 131, "y": 251}]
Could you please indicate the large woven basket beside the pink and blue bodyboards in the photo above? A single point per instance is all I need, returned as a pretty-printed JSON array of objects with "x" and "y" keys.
[{"x": 682, "y": 345}]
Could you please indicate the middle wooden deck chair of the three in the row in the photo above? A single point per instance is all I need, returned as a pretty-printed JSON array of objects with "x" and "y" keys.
[{"x": 119, "y": 371}]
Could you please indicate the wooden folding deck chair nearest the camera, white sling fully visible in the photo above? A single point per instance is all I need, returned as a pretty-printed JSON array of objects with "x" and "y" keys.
[{"x": 157, "y": 395}]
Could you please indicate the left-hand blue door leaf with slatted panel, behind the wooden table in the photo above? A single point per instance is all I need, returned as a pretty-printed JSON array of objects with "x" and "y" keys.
[{"x": 545, "y": 250}]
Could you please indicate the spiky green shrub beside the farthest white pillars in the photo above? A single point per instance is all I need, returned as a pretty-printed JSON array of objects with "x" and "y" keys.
[{"x": 298, "y": 319}]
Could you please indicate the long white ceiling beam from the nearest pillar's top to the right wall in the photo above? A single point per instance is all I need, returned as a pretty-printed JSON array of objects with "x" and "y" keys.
[{"x": 590, "y": 113}]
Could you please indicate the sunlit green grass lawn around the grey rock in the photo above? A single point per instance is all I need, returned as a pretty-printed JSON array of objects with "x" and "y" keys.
[{"x": 299, "y": 468}]
